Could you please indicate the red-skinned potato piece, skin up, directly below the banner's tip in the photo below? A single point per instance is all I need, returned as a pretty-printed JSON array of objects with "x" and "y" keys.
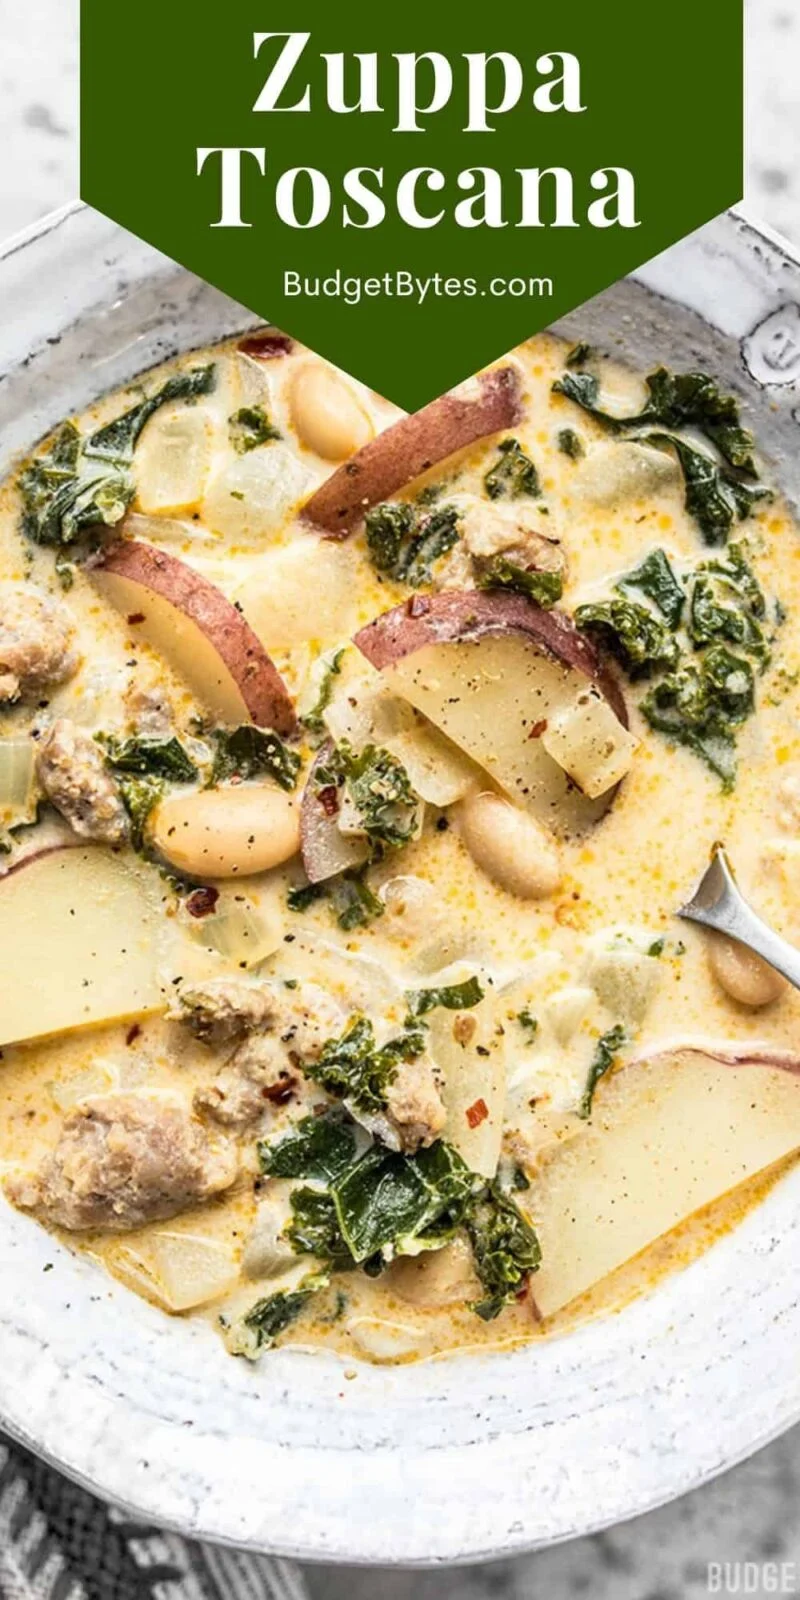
[{"x": 412, "y": 447}]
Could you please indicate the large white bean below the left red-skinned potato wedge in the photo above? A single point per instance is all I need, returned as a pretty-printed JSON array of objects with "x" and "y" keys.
[{"x": 228, "y": 833}]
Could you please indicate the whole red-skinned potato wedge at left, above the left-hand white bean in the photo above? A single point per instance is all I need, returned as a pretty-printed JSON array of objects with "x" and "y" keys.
[{"x": 193, "y": 625}]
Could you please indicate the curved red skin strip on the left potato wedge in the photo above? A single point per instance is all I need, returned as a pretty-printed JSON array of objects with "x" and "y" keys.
[{"x": 260, "y": 682}]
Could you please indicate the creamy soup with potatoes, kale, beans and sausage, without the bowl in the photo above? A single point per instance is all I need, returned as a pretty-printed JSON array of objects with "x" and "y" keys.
[{"x": 353, "y": 769}]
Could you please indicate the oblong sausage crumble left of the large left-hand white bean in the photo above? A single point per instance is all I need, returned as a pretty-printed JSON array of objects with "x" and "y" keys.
[{"x": 74, "y": 778}]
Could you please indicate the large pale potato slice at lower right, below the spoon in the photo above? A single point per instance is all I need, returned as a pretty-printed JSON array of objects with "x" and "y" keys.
[{"x": 670, "y": 1135}]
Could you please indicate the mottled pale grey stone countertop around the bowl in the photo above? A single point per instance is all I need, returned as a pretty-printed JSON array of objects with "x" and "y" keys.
[{"x": 753, "y": 1514}]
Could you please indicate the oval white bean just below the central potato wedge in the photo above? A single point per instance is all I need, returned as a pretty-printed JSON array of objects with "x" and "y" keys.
[{"x": 513, "y": 849}]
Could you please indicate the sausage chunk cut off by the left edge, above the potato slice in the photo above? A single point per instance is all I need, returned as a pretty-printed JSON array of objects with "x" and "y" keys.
[{"x": 36, "y": 642}]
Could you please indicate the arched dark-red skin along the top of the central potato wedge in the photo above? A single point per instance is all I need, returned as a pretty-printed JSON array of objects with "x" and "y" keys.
[{"x": 465, "y": 615}]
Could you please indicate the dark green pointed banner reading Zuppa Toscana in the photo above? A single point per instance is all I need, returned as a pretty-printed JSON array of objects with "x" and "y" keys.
[{"x": 407, "y": 190}]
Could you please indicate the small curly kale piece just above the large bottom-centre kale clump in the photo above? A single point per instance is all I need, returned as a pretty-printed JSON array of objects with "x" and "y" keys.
[{"x": 361, "y": 1071}]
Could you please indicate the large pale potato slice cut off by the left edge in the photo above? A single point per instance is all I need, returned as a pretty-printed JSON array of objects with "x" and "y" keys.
[{"x": 79, "y": 935}]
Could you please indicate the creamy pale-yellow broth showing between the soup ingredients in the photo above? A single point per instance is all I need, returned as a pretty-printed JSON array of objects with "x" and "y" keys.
[{"x": 306, "y": 598}]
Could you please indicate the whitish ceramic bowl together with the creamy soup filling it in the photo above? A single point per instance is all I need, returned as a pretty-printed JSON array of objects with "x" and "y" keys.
[{"x": 388, "y": 1172}]
